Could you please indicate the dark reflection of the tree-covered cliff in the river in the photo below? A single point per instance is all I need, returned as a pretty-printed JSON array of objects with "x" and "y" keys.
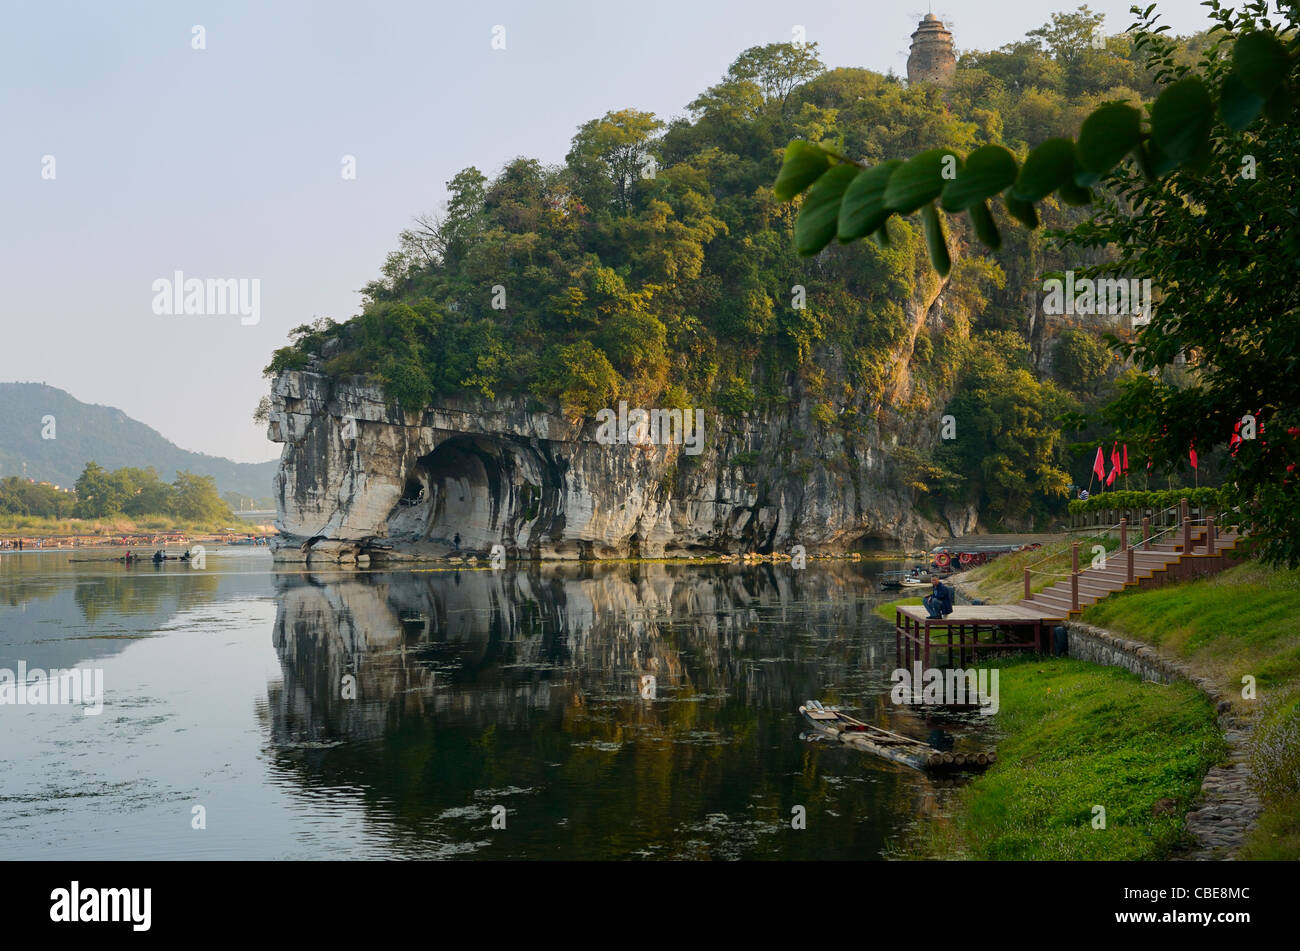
[{"x": 534, "y": 691}]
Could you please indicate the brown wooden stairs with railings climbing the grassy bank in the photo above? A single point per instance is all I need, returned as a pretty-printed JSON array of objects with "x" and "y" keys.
[{"x": 1151, "y": 566}]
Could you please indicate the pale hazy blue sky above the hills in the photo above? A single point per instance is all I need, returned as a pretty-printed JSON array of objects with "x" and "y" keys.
[{"x": 226, "y": 162}]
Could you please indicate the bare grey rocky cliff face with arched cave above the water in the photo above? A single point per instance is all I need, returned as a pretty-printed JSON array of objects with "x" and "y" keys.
[{"x": 362, "y": 477}]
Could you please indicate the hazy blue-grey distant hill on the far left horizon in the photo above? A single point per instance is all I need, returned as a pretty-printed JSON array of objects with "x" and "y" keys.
[{"x": 109, "y": 436}]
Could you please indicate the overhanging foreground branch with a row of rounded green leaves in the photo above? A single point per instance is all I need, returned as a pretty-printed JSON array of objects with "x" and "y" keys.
[{"x": 848, "y": 201}]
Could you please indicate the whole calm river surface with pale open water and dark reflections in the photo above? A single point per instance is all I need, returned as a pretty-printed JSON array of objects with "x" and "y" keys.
[{"x": 474, "y": 689}]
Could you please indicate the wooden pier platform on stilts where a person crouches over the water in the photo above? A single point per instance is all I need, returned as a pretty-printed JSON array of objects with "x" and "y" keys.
[{"x": 972, "y": 628}]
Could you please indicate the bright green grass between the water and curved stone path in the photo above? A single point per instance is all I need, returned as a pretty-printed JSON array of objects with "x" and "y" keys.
[{"x": 1080, "y": 736}]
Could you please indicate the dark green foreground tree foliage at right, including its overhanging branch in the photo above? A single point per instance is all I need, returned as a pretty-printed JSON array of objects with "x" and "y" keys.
[{"x": 1199, "y": 197}]
